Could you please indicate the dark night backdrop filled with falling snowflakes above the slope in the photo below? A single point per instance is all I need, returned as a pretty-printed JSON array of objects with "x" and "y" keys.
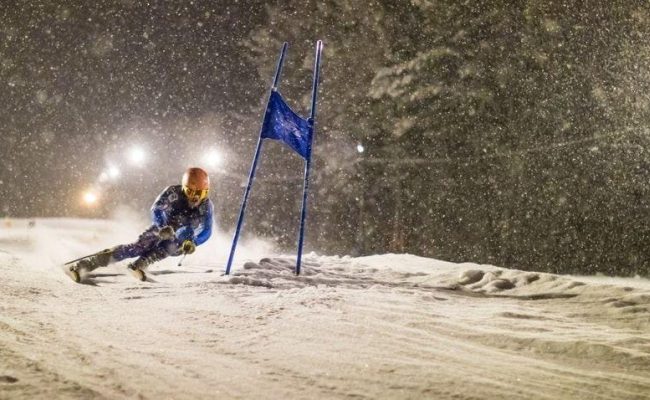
[{"x": 500, "y": 133}]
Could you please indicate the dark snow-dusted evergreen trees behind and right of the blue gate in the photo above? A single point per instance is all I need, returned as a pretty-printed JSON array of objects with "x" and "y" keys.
[{"x": 512, "y": 133}]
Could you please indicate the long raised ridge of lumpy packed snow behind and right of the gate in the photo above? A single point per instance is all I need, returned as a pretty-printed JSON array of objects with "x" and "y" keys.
[{"x": 615, "y": 302}]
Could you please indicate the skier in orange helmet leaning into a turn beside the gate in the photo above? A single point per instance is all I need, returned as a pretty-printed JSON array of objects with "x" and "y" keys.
[{"x": 182, "y": 217}]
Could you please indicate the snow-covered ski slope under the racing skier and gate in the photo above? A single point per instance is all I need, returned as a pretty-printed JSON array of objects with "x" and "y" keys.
[{"x": 384, "y": 326}]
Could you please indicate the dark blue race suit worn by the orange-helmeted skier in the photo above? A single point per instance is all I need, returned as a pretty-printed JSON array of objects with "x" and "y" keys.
[{"x": 171, "y": 208}]
